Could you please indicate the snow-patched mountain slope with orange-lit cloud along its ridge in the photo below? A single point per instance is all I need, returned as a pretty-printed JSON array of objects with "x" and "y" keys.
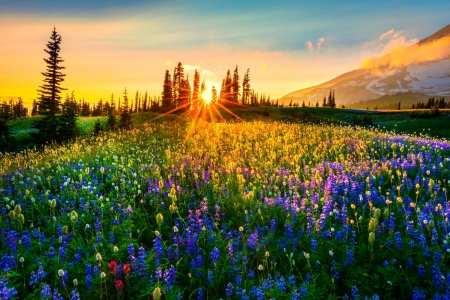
[{"x": 420, "y": 68}]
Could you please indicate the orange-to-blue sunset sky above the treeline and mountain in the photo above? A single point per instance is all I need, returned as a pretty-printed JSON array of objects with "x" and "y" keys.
[{"x": 287, "y": 45}]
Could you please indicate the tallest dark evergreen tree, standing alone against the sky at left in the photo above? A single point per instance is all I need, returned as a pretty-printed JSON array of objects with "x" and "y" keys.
[{"x": 49, "y": 93}]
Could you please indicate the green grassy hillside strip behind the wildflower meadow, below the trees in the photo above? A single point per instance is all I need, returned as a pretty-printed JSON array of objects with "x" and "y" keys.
[{"x": 399, "y": 121}]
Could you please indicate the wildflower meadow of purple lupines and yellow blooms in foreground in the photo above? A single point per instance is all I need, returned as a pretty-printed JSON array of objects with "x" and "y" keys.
[{"x": 228, "y": 210}]
